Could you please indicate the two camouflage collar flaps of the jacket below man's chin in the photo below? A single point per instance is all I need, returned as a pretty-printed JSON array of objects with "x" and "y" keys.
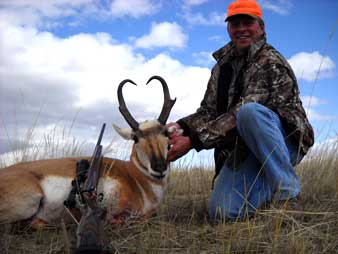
[{"x": 228, "y": 51}]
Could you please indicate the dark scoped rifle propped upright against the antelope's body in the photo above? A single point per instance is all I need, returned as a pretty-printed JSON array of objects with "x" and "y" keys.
[{"x": 90, "y": 232}]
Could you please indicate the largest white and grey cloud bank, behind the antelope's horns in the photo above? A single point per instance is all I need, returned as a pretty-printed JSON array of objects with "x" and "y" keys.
[{"x": 57, "y": 76}]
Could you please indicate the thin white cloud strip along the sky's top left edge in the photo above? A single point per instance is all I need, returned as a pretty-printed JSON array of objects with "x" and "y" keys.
[{"x": 47, "y": 13}]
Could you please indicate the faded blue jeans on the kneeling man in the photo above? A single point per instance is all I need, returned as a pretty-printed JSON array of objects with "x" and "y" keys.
[{"x": 266, "y": 174}]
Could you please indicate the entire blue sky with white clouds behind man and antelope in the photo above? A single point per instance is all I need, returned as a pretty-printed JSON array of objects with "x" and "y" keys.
[{"x": 61, "y": 62}]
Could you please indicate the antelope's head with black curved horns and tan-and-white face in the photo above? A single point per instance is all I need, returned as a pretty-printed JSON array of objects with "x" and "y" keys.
[{"x": 150, "y": 138}]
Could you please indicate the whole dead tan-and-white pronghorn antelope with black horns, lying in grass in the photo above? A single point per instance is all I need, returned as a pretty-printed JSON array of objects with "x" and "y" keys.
[{"x": 35, "y": 191}]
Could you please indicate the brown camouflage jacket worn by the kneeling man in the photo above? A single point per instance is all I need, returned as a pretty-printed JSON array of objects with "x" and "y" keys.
[{"x": 263, "y": 76}]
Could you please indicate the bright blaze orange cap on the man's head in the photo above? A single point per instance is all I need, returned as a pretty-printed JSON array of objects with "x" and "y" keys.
[{"x": 247, "y": 7}]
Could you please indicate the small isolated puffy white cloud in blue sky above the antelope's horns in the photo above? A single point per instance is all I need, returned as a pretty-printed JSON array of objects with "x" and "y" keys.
[{"x": 163, "y": 35}]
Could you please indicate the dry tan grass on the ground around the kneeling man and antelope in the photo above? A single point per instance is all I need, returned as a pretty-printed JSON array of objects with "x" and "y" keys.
[{"x": 180, "y": 225}]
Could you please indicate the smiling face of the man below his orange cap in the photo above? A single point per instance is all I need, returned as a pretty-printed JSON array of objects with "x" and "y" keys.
[{"x": 244, "y": 30}]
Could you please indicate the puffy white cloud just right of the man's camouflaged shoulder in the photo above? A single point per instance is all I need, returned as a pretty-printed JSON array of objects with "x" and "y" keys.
[{"x": 309, "y": 66}]
